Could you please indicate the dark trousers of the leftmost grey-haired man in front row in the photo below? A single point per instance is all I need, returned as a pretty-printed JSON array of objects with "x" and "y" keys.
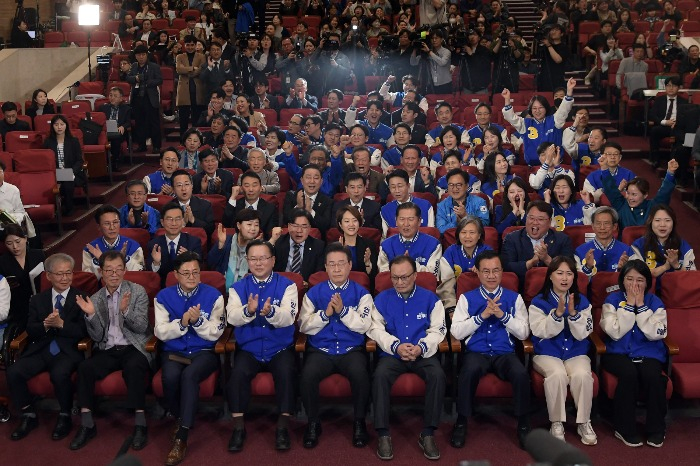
[{"x": 60, "y": 368}]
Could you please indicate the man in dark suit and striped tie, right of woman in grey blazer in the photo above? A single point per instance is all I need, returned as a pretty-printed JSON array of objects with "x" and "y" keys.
[{"x": 297, "y": 251}]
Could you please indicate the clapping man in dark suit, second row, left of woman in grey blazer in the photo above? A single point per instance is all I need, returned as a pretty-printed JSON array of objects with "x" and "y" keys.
[{"x": 166, "y": 247}]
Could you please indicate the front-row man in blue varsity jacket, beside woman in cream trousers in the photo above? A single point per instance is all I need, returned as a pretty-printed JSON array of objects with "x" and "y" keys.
[{"x": 486, "y": 320}]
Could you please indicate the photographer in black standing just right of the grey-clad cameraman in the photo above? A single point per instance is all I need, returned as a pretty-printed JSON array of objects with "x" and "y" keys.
[{"x": 474, "y": 61}]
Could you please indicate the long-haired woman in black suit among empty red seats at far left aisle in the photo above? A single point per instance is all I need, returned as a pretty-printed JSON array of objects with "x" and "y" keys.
[{"x": 68, "y": 153}]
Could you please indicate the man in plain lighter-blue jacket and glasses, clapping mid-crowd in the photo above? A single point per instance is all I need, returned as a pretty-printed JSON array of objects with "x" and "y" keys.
[{"x": 459, "y": 203}]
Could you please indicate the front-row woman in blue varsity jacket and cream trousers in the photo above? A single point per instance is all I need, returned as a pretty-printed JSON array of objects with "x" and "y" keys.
[{"x": 560, "y": 320}]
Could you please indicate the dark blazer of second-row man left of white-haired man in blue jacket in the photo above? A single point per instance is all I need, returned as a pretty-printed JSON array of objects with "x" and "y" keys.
[{"x": 517, "y": 249}]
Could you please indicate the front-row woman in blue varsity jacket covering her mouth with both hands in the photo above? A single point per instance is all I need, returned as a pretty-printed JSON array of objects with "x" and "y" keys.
[{"x": 636, "y": 324}]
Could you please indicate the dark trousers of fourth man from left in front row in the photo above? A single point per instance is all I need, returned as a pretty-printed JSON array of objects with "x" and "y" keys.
[{"x": 246, "y": 367}]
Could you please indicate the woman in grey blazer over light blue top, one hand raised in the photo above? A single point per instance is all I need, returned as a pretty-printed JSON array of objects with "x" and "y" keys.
[{"x": 227, "y": 255}]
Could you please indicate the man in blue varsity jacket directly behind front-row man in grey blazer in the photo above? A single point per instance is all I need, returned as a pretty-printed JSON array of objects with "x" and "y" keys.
[{"x": 108, "y": 220}]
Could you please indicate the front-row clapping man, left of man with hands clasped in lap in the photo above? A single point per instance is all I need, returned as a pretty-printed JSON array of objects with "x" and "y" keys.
[{"x": 336, "y": 314}]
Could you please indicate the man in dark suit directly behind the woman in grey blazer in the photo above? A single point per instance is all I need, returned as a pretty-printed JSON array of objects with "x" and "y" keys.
[{"x": 251, "y": 187}]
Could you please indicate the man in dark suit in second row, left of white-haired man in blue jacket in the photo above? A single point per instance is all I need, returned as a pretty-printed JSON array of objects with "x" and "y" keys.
[{"x": 536, "y": 244}]
